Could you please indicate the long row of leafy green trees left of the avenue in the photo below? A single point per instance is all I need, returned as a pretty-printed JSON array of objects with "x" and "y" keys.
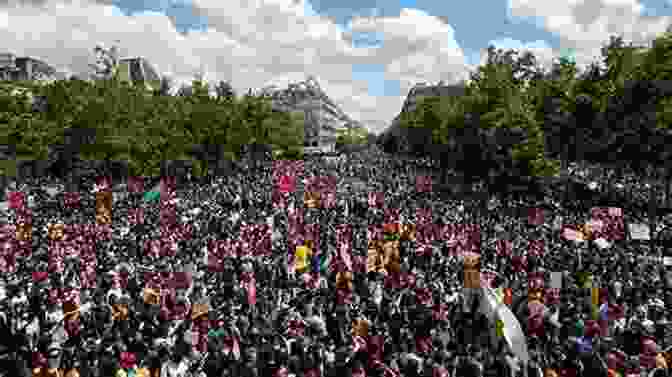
[{"x": 108, "y": 120}]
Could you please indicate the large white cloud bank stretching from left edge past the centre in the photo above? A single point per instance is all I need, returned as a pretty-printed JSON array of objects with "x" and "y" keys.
[{"x": 251, "y": 44}]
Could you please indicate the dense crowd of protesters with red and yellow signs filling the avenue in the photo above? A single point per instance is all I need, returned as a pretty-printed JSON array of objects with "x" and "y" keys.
[{"x": 258, "y": 274}]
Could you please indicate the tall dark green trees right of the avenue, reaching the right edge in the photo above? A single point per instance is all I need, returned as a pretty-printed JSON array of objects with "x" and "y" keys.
[{"x": 518, "y": 120}]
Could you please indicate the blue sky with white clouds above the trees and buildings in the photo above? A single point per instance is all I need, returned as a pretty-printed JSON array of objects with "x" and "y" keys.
[{"x": 365, "y": 54}]
